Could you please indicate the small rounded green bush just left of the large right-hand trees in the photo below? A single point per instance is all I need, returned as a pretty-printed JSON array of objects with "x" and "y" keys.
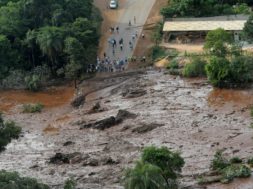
[{"x": 195, "y": 69}]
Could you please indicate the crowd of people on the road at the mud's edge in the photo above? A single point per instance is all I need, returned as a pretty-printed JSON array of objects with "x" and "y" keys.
[{"x": 120, "y": 48}]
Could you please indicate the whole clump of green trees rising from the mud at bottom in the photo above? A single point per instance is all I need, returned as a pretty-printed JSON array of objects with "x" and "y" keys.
[{"x": 157, "y": 169}]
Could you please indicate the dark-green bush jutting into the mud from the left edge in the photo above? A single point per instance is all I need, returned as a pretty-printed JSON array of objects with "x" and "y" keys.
[{"x": 8, "y": 131}]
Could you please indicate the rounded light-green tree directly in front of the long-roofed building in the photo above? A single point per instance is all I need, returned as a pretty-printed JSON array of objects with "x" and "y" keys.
[{"x": 217, "y": 42}]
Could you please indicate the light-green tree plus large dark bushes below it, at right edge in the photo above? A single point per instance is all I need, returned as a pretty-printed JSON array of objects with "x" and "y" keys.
[{"x": 228, "y": 66}]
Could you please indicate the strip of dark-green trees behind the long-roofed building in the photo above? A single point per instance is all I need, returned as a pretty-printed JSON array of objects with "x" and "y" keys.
[{"x": 199, "y": 8}]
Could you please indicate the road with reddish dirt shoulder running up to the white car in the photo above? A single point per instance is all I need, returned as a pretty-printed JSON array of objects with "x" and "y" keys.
[{"x": 126, "y": 12}]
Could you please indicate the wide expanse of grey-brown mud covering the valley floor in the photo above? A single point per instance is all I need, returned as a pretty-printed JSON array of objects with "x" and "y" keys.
[{"x": 185, "y": 115}]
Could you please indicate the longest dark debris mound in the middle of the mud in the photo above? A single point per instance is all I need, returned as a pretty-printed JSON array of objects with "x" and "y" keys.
[{"x": 110, "y": 121}]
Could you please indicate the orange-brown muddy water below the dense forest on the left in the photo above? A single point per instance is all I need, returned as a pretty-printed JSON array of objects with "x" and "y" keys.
[{"x": 52, "y": 97}]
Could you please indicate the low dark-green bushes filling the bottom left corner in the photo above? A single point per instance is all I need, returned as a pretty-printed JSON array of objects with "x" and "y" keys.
[{"x": 12, "y": 180}]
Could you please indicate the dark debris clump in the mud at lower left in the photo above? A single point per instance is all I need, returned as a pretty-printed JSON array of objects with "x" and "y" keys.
[{"x": 60, "y": 158}]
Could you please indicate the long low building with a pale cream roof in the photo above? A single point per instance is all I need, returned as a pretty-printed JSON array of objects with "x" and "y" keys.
[{"x": 186, "y": 30}]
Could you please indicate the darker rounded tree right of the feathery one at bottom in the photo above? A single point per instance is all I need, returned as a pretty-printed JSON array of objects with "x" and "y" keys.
[{"x": 169, "y": 162}]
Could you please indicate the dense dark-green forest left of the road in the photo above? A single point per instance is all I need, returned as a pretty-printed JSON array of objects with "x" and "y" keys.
[{"x": 56, "y": 38}]
